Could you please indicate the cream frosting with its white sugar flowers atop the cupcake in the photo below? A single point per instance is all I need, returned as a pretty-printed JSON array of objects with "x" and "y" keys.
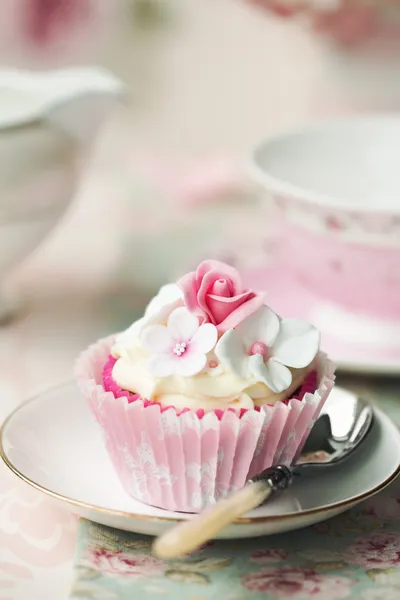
[{"x": 174, "y": 357}]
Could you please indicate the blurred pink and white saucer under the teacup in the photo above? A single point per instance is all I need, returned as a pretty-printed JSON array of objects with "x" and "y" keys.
[{"x": 355, "y": 343}]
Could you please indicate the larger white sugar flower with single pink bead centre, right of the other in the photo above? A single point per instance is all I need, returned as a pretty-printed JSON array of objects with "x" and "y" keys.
[{"x": 263, "y": 346}]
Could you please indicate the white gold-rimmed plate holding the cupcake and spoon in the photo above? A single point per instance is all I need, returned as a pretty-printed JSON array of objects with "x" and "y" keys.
[{"x": 52, "y": 443}]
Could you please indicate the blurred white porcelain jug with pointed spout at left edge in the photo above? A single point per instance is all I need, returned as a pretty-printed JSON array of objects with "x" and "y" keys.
[{"x": 47, "y": 122}]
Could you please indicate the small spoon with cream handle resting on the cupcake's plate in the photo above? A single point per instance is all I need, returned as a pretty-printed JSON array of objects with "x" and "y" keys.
[{"x": 341, "y": 427}]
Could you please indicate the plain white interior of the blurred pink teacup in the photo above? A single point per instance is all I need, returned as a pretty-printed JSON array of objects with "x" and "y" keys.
[{"x": 305, "y": 163}]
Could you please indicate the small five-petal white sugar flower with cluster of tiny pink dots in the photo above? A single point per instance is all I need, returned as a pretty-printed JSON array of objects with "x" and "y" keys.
[{"x": 180, "y": 347}]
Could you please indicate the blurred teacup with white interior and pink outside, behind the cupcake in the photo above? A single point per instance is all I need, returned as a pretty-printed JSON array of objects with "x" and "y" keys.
[{"x": 336, "y": 190}]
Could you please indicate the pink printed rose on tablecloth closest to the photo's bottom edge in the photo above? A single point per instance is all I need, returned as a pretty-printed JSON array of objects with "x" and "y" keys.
[{"x": 297, "y": 583}]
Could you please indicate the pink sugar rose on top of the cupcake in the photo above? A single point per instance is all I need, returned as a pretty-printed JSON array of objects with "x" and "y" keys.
[{"x": 214, "y": 292}]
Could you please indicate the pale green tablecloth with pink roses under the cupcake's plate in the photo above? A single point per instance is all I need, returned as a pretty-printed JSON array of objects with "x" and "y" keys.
[{"x": 355, "y": 555}]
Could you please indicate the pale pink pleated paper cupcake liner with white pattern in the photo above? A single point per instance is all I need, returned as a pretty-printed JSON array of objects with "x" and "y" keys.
[{"x": 186, "y": 461}]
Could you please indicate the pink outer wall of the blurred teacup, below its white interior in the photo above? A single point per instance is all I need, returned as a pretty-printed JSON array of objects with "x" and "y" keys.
[{"x": 339, "y": 271}]
